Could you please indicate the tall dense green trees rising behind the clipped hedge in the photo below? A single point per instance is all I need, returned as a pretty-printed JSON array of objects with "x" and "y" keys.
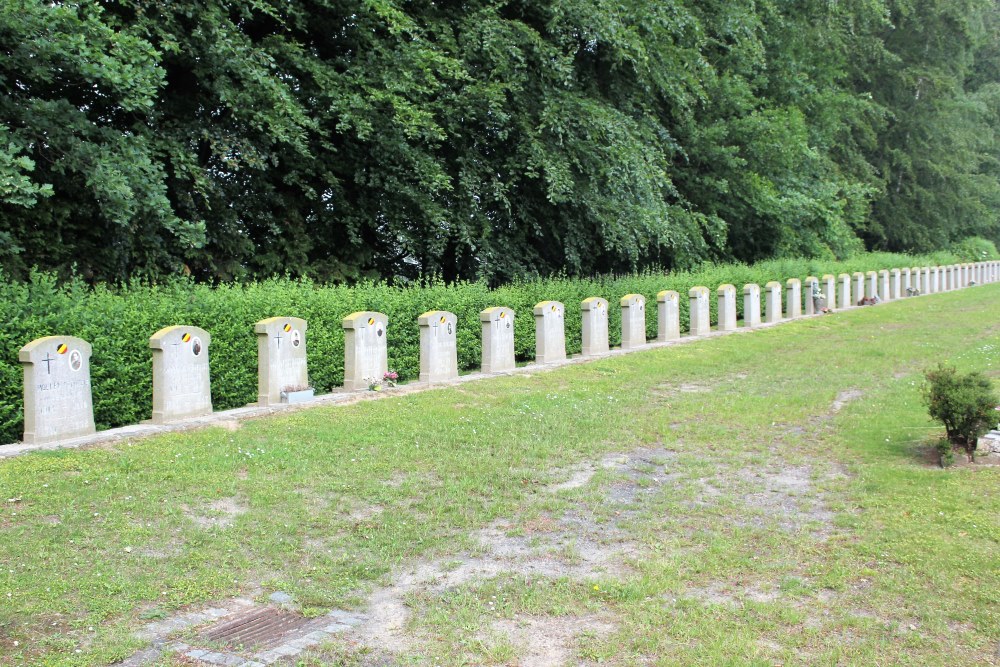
[{"x": 349, "y": 140}]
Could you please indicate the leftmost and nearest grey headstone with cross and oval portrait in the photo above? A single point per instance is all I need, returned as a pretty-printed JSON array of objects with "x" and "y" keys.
[{"x": 57, "y": 400}]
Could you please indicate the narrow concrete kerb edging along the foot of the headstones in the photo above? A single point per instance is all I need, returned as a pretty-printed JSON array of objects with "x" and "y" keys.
[{"x": 146, "y": 429}]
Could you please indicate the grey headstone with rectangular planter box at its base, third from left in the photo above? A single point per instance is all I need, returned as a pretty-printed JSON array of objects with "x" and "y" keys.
[{"x": 281, "y": 358}]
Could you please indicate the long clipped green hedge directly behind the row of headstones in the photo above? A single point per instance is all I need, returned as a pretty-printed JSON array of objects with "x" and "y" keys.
[{"x": 118, "y": 322}]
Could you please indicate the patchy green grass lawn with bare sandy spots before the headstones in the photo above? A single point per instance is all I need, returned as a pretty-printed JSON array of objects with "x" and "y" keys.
[{"x": 760, "y": 499}]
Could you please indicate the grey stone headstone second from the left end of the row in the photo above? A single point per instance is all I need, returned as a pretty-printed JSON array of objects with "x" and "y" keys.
[{"x": 181, "y": 380}]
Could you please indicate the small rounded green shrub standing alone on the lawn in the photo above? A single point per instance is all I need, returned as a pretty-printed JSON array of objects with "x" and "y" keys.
[{"x": 965, "y": 404}]
